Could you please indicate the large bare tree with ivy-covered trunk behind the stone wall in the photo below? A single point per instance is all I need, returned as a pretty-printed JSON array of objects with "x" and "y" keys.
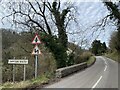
[{"x": 43, "y": 16}]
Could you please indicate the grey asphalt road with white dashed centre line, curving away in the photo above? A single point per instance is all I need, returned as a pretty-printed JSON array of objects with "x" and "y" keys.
[{"x": 103, "y": 74}]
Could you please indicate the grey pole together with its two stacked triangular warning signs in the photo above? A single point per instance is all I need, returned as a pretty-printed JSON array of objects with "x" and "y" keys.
[{"x": 36, "y": 51}]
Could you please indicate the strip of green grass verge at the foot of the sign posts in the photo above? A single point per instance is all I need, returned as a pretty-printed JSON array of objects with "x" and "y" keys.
[{"x": 26, "y": 84}]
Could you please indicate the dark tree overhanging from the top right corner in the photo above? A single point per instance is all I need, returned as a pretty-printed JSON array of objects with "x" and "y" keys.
[{"x": 114, "y": 9}]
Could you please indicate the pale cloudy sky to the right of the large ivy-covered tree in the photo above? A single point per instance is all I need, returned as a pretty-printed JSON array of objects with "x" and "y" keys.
[{"x": 89, "y": 14}]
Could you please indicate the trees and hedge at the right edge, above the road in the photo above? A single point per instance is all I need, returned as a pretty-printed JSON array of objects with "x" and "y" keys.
[{"x": 114, "y": 43}]
